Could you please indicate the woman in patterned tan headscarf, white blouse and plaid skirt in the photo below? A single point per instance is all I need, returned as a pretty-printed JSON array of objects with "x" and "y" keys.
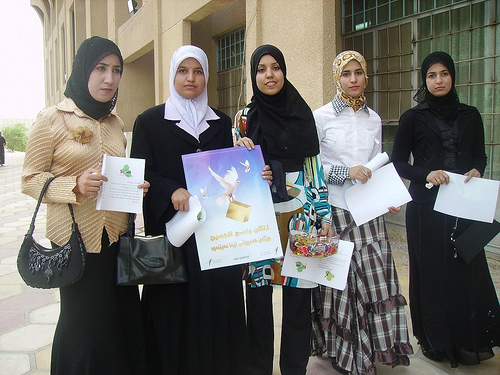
[{"x": 365, "y": 323}]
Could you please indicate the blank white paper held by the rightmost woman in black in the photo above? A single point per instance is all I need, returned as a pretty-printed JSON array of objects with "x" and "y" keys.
[{"x": 474, "y": 200}]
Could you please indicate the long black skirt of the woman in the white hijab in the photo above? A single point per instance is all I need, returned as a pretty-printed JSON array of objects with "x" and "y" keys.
[{"x": 196, "y": 328}]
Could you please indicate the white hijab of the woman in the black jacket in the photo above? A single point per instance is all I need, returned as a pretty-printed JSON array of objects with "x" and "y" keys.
[{"x": 192, "y": 113}]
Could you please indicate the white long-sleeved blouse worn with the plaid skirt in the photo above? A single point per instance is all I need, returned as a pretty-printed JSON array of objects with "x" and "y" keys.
[{"x": 346, "y": 140}]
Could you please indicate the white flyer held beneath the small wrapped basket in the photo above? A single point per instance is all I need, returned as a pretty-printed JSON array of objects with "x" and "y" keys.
[{"x": 331, "y": 271}]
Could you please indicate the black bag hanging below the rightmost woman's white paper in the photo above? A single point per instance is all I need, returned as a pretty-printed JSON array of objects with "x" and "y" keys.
[{"x": 473, "y": 240}]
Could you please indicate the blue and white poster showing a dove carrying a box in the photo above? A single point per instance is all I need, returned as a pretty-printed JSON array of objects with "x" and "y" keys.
[{"x": 240, "y": 225}]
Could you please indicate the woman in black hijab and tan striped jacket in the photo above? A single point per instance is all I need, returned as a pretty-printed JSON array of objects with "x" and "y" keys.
[{"x": 99, "y": 330}]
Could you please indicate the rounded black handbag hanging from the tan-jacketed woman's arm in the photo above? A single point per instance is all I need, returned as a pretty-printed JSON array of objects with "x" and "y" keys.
[{"x": 45, "y": 268}]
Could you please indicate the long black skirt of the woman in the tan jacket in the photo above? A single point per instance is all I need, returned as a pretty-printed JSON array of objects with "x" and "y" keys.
[{"x": 100, "y": 325}]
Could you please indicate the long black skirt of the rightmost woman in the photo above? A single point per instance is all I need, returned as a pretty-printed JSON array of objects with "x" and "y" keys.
[{"x": 454, "y": 306}]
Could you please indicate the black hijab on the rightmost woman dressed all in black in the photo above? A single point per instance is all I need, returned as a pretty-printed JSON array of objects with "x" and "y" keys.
[{"x": 446, "y": 106}]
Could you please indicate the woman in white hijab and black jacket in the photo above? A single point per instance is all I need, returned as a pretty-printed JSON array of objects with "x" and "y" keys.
[{"x": 196, "y": 327}]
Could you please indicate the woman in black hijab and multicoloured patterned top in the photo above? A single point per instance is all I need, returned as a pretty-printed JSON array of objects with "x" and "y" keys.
[{"x": 279, "y": 120}]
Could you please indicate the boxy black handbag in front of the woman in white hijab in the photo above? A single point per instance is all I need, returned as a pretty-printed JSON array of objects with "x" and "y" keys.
[{"x": 148, "y": 260}]
